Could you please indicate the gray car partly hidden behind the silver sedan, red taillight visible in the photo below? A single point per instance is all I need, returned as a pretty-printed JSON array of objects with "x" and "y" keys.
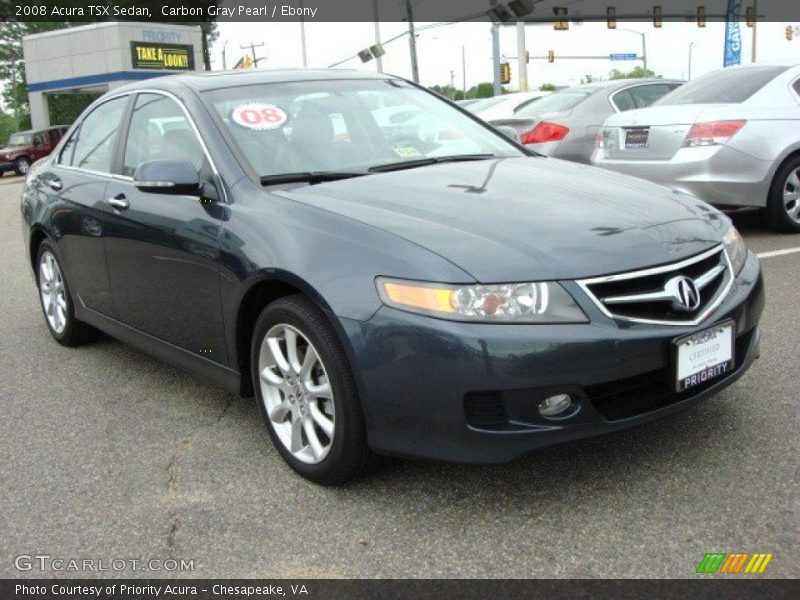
[{"x": 566, "y": 123}]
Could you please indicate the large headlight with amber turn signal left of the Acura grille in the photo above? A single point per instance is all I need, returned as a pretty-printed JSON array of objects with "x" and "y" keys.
[{"x": 541, "y": 302}]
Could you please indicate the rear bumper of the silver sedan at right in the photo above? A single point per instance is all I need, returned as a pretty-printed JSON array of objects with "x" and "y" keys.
[{"x": 719, "y": 175}]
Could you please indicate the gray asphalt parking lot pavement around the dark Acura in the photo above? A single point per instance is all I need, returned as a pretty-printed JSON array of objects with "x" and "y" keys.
[{"x": 107, "y": 453}]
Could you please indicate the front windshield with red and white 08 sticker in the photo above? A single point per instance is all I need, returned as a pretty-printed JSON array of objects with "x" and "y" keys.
[{"x": 353, "y": 125}]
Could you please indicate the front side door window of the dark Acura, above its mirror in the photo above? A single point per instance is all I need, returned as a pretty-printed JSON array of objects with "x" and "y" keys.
[{"x": 159, "y": 130}]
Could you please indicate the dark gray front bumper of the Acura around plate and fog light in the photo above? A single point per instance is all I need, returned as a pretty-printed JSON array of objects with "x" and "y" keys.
[{"x": 469, "y": 392}]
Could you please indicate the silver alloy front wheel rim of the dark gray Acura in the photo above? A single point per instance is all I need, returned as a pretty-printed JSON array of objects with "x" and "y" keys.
[{"x": 297, "y": 394}]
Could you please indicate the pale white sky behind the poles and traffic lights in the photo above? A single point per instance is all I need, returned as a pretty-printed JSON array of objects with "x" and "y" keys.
[{"x": 439, "y": 48}]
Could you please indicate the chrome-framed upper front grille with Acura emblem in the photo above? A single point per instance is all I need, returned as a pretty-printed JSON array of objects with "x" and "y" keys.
[{"x": 649, "y": 295}]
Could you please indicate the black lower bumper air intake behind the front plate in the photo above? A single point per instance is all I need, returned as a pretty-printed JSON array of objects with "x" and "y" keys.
[{"x": 651, "y": 391}]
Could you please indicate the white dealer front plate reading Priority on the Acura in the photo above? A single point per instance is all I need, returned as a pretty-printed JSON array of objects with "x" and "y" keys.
[{"x": 704, "y": 356}]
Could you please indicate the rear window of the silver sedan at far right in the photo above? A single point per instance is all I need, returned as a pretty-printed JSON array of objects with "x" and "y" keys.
[{"x": 727, "y": 86}]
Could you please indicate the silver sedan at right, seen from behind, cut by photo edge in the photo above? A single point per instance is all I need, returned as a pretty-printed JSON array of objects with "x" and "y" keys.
[{"x": 730, "y": 137}]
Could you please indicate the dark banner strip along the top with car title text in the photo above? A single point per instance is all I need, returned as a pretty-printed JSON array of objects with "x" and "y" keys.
[{"x": 502, "y": 11}]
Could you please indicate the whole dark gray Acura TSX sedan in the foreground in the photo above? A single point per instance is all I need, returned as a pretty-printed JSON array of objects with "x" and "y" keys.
[{"x": 427, "y": 288}]
